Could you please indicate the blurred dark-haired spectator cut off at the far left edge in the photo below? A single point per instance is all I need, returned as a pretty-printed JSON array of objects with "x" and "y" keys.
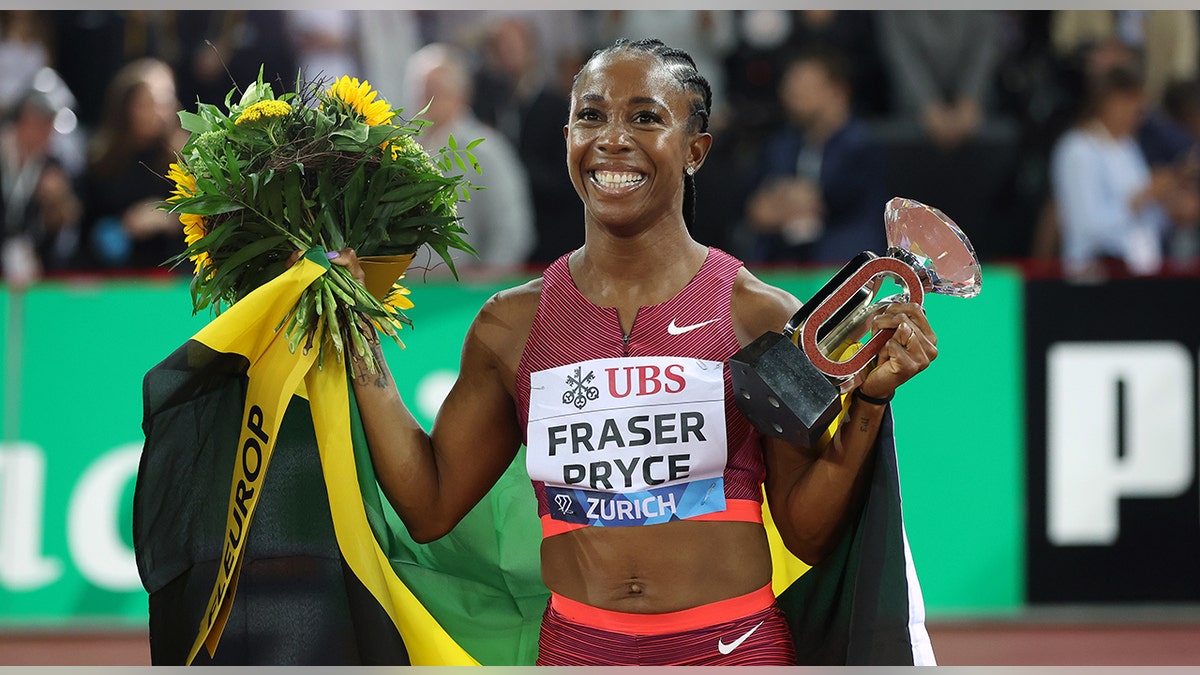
[{"x": 38, "y": 202}]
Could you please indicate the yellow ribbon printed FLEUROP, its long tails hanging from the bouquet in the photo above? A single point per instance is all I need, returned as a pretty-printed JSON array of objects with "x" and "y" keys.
[{"x": 275, "y": 377}]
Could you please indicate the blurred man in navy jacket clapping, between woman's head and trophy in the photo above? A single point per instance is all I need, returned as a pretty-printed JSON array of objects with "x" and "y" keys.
[{"x": 824, "y": 177}]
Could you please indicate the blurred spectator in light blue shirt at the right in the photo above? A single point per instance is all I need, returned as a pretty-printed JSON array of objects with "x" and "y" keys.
[{"x": 1109, "y": 205}]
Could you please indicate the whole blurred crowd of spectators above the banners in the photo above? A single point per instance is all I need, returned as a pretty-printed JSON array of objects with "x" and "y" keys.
[{"x": 1065, "y": 136}]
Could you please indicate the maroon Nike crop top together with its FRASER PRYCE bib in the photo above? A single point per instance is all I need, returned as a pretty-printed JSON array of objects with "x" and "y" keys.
[{"x": 644, "y": 431}]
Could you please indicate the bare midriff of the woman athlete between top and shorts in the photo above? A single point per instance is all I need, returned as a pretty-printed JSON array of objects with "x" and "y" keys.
[{"x": 657, "y": 569}]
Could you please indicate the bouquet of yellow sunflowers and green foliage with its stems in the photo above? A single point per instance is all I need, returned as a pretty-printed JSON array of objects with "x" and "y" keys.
[{"x": 323, "y": 166}]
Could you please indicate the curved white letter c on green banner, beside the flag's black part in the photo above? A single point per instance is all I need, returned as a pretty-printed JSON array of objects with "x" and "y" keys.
[{"x": 93, "y": 525}]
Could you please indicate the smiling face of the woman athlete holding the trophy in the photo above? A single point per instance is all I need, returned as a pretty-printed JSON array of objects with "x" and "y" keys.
[{"x": 628, "y": 141}]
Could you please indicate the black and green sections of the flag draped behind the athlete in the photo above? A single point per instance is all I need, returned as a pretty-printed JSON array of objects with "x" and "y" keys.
[{"x": 299, "y": 604}]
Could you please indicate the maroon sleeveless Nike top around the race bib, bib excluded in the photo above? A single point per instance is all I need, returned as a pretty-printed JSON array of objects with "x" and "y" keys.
[{"x": 569, "y": 330}]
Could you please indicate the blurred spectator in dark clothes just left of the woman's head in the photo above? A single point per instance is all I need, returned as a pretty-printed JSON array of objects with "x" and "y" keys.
[{"x": 515, "y": 95}]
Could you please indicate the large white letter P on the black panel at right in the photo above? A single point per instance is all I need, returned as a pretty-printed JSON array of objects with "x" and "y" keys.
[{"x": 1085, "y": 479}]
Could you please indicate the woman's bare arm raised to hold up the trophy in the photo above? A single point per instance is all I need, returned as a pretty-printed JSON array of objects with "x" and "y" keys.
[{"x": 814, "y": 491}]
